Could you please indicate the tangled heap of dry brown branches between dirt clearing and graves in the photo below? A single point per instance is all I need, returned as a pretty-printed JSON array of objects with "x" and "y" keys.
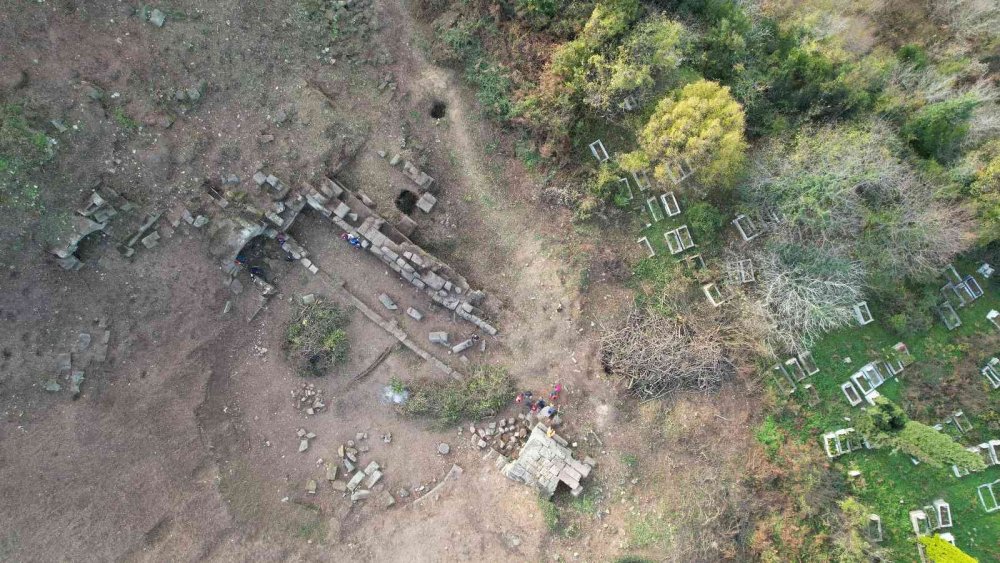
[{"x": 655, "y": 355}]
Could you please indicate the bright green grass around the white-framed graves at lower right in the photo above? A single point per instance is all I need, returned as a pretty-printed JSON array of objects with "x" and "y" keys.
[{"x": 890, "y": 484}]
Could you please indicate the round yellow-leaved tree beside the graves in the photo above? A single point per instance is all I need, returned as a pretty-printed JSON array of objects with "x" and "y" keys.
[{"x": 702, "y": 125}]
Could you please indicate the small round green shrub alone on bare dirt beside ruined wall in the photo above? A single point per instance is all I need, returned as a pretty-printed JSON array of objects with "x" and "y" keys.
[{"x": 317, "y": 338}]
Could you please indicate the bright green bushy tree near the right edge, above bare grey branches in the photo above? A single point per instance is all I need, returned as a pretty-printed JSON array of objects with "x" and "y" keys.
[{"x": 937, "y": 130}]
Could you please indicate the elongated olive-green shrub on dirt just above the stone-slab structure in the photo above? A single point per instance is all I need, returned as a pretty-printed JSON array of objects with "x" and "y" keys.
[{"x": 484, "y": 393}]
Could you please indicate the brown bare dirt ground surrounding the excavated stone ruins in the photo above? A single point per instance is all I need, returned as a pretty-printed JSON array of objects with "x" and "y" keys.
[{"x": 182, "y": 445}]
